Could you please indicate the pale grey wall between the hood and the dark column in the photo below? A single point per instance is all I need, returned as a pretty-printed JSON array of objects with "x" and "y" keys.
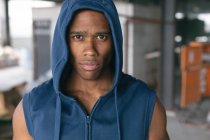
[{"x": 143, "y": 38}]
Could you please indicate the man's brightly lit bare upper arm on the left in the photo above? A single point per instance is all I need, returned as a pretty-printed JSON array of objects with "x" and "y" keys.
[{"x": 20, "y": 131}]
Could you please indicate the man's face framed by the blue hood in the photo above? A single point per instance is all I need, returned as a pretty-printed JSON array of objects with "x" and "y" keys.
[{"x": 90, "y": 45}]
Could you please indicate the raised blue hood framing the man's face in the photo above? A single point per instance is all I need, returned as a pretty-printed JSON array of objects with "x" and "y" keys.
[{"x": 60, "y": 51}]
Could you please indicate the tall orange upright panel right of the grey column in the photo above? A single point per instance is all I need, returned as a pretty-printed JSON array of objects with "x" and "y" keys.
[{"x": 191, "y": 65}]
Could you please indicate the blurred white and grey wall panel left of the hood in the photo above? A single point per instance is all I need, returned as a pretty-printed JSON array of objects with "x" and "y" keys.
[{"x": 43, "y": 30}]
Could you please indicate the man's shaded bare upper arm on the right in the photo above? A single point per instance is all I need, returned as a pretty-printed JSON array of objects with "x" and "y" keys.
[{"x": 158, "y": 124}]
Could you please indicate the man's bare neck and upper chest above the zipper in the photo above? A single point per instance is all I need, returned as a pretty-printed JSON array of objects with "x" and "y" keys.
[{"x": 87, "y": 92}]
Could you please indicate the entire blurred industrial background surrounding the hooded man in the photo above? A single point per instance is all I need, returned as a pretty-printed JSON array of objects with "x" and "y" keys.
[{"x": 166, "y": 44}]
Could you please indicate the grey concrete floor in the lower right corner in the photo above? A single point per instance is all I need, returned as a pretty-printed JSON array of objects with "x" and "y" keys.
[{"x": 183, "y": 131}]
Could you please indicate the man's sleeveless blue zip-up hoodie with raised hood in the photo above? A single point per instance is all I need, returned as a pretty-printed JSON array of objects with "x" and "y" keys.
[{"x": 123, "y": 113}]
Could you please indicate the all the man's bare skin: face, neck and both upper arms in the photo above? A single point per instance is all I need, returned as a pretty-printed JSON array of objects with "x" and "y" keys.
[{"x": 91, "y": 50}]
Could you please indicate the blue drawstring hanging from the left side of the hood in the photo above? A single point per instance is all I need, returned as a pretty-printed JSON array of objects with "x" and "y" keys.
[{"x": 57, "y": 118}]
